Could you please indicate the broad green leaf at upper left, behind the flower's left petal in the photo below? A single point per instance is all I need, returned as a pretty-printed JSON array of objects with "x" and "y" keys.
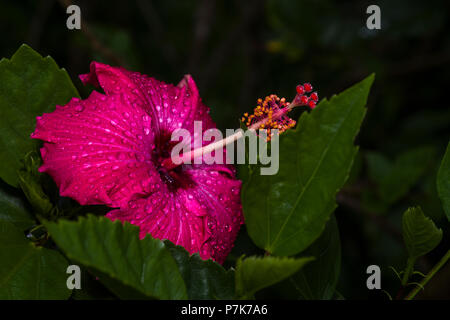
[{"x": 29, "y": 86}]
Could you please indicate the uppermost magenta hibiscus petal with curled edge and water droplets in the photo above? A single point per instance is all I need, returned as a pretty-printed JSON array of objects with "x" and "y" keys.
[{"x": 171, "y": 106}]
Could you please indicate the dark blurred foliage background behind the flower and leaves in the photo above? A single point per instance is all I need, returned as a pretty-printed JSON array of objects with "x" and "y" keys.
[{"x": 238, "y": 51}]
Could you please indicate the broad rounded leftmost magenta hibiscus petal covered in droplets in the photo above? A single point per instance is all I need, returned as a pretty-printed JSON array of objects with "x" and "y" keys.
[{"x": 98, "y": 150}]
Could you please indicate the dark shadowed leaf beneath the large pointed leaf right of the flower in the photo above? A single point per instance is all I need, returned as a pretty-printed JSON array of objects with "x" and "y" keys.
[{"x": 318, "y": 279}]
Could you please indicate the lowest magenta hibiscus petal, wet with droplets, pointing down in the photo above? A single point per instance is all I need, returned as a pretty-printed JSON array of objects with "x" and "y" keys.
[{"x": 204, "y": 219}]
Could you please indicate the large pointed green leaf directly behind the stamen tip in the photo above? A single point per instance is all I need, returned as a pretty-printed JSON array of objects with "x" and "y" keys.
[{"x": 286, "y": 212}]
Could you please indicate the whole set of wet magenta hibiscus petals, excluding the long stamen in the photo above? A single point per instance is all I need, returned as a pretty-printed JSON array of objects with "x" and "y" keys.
[{"x": 108, "y": 148}]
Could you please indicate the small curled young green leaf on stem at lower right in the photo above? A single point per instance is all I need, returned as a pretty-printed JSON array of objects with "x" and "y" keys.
[{"x": 419, "y": 233}]
